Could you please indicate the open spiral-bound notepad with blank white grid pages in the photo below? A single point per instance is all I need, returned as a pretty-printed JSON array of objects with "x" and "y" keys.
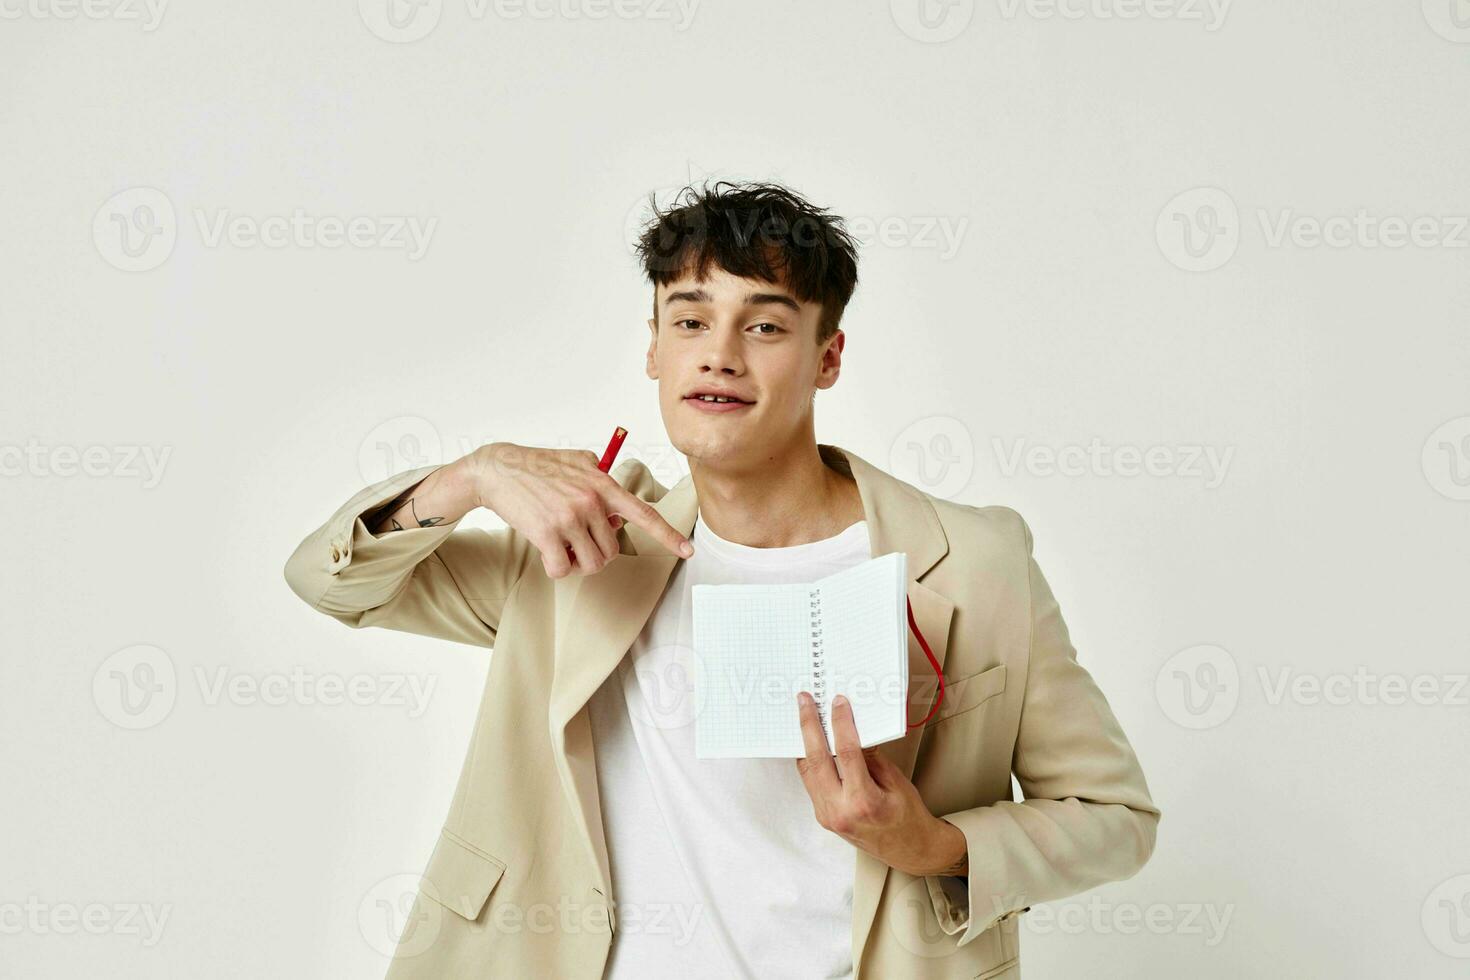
[{"x": 758, "y": 646}]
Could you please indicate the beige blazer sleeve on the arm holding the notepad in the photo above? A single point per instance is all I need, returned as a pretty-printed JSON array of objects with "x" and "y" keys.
[{"x": 1087, "y": 818}]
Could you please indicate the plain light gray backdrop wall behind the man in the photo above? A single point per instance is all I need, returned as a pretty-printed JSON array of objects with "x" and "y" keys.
[{"x": 1114, "y": 189}]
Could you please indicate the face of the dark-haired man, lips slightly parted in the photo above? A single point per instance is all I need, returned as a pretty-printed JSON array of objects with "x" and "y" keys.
[{"x": 745, "y": 337}]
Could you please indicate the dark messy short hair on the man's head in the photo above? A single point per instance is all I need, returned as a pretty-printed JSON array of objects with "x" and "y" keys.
[{"x": 753, "y": 231}]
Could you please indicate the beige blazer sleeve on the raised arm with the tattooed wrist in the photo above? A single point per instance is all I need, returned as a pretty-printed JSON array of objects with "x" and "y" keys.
[{"x": 442, "y": 581}]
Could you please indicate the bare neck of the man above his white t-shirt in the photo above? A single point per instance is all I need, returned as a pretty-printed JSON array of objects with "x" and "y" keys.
[{"x": 789, "y": 500}]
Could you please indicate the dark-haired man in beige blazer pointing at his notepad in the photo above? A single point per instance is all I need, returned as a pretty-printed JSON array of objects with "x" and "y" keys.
[{"x": 586, "y": 840}]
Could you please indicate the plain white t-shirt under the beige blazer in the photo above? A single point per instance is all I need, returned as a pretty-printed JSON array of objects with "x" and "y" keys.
[{"x": 720, "y": 866}]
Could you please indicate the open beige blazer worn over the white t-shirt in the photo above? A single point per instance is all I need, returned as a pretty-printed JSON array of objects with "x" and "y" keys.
[{"x": 518, "y": 884}]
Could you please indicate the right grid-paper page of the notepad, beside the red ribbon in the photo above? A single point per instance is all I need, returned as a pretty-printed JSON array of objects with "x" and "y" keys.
[{"x": 865, "y": 641}]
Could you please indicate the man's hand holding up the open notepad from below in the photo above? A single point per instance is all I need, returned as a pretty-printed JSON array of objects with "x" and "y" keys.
[{"x": 864, "y": 799}]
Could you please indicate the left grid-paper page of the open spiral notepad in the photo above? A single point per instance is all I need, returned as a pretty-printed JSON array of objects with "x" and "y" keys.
[{"x": 752, "y": 650}]
